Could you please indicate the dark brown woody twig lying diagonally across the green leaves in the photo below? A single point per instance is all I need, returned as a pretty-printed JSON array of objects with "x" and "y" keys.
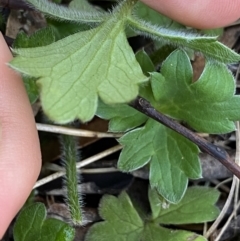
[{"x": 218, "y": 153}]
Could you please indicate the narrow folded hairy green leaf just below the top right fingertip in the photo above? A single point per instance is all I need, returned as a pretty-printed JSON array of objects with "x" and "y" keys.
[{"x": 207, "y": 45}]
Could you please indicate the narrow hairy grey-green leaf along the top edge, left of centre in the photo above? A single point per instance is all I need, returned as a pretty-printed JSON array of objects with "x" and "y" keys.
[{"x": 63, "y": 13}]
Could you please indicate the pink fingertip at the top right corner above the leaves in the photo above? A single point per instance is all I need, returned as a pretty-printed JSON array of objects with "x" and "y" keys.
[{"x": 202, "y": 14}]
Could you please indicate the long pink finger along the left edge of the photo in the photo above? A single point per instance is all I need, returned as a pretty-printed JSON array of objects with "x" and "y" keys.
[{"x": 20, "y": 156}]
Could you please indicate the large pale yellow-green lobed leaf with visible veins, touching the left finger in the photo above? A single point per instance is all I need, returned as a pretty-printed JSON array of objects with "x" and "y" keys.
[{"x": 73, "y": 73}]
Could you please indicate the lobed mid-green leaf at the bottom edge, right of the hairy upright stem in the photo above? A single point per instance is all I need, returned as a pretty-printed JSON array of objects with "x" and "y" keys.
[{"x": 123, "y": 222}]
